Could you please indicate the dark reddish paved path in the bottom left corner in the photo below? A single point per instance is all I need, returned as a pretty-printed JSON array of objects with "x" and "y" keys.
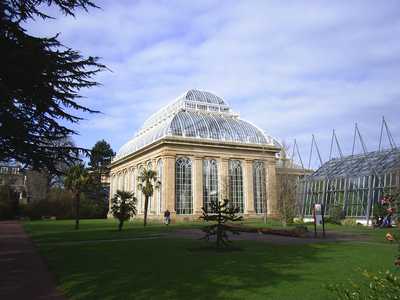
[{"x": 23, "y": 274}]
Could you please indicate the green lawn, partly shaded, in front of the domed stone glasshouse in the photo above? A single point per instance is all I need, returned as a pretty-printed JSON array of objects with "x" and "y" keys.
[{"x": 168, "y": 268}]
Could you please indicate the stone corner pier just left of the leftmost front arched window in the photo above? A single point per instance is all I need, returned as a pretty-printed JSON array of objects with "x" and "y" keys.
[{"x": 169, "y": 183}]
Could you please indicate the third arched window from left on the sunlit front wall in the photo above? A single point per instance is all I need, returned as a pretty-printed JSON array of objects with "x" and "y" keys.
[{"x": 236, "y": 184}]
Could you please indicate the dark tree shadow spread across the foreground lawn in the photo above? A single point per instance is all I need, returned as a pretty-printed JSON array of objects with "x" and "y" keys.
[{"x": 165, "y": 269}]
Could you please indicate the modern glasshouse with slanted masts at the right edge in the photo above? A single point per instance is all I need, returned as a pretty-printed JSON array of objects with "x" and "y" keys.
[{"x": 354, "y": 182}]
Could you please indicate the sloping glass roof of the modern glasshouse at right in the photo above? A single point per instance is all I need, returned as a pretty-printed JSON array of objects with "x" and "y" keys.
[{"x": 377, "y": 162}]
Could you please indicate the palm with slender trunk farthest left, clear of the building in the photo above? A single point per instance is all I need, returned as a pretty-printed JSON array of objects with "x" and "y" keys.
[{"x": 76, "y": 178}]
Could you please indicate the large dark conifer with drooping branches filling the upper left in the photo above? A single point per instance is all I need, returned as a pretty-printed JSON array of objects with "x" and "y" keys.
[{"x": 40, "y": 81}]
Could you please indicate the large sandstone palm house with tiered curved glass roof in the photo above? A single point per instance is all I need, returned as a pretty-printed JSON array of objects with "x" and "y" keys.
[{"x": 201, "y": 151}]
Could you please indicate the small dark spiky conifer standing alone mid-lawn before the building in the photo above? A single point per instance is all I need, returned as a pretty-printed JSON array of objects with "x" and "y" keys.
[{"x": 220, "y": 212}]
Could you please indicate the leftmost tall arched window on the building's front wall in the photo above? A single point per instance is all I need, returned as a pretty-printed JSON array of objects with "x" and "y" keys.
[{"x": 183, "y": 186}]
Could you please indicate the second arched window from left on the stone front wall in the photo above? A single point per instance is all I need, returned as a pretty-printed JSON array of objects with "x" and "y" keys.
[{"x": 210, "y": 182}]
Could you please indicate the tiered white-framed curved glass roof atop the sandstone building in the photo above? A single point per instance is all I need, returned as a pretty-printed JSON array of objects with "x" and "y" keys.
[{"x": 196, "y": 114}]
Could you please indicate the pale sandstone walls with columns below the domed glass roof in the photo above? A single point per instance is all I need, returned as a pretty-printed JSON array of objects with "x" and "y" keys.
[{"x": 124, "y": 174}]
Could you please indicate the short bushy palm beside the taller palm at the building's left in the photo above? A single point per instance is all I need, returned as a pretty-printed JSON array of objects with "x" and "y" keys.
[{"x": 123, "y": 207}]
